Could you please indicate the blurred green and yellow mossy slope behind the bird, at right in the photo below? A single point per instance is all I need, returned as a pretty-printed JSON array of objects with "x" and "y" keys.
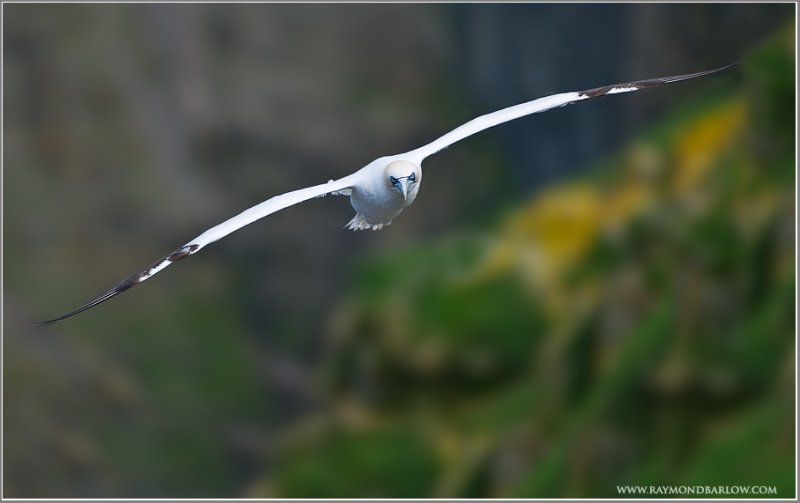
[{"x": 634, "y": 326}]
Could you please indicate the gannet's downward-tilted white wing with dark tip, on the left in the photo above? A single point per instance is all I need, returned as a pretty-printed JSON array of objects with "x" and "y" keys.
[{"x": 246, "y": 217}]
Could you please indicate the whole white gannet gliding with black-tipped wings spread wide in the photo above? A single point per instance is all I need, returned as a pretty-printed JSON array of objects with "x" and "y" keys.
[{"x": 379, "y": 191}]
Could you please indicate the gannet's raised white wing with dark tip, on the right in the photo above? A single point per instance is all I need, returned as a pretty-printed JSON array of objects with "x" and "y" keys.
[{"x": 541, "y": 105}]
